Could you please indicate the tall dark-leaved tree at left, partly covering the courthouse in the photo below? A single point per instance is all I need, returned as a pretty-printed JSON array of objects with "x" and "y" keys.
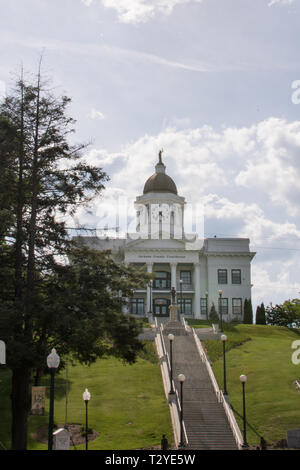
[{"x": 44, "y": 300}]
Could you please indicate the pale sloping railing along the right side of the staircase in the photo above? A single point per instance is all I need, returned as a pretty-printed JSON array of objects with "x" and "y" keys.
[{"x": 220, "y": 396}]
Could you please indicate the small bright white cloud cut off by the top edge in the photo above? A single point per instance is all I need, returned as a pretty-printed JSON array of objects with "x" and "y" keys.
[{"x": 136, "y": 11}]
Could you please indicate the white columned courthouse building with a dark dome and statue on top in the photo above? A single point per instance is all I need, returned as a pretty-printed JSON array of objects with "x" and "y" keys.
[{"x": 203, "y": 271}]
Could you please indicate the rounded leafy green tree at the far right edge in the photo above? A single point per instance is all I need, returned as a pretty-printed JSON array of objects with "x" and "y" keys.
[{"x": 286, "y": 314}]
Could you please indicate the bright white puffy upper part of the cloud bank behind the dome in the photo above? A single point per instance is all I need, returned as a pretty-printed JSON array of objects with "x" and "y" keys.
[{"x": 262, "y": 160}]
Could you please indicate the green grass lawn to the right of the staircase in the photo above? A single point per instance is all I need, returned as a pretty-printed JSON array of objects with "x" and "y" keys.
[{"x": 263, "y": 353}]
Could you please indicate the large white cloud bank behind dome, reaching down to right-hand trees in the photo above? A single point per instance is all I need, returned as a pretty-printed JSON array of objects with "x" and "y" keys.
[{"x": 241, "y": 176}]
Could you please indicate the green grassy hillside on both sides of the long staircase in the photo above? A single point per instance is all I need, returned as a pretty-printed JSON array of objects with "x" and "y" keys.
[{"x": 128, "y": 407}]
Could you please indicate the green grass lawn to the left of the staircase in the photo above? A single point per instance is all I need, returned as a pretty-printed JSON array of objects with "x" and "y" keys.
[{"x": 128, "y": 407}]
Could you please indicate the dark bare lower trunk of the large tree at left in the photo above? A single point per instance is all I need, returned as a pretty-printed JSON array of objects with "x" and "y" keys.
[{"x": 20, "y": 398}]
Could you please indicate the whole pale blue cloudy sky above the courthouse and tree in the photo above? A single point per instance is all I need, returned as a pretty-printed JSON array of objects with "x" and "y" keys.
[{"x": 213, "y": 82}]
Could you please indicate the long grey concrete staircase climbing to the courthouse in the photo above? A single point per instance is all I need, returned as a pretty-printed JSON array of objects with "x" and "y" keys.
[{"x": 206, "y": 423}]
